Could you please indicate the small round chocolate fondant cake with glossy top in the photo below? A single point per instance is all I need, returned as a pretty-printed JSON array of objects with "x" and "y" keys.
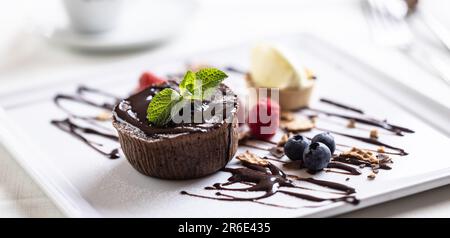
[{"x": 177, "y": 150}]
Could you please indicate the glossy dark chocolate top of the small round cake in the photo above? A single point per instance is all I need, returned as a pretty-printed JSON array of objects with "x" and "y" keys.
[{"x": 198, "y": 116}]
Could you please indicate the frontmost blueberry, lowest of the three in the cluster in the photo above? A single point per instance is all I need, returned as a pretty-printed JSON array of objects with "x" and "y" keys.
[{"x": 316, "y": 156}]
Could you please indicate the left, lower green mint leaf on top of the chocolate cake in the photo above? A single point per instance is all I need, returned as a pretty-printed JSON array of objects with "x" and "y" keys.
[{"x": 159, "y": 111}]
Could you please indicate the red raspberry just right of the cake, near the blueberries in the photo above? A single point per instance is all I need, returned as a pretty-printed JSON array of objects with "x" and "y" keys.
[{"x": 264, "y": 119}]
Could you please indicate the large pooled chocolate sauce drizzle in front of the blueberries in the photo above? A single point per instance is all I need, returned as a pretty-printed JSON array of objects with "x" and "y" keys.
[{"x": 270, "y": 180}]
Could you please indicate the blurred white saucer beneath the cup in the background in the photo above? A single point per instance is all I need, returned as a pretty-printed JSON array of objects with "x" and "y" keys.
[{"x": 141, "y": 24}]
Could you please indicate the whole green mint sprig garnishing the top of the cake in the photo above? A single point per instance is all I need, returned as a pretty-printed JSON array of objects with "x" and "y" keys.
[{"x": 194, "y": 86}]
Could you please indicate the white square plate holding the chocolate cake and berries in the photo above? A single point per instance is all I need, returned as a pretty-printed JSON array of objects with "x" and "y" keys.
[{"x": 84, "y": 183}]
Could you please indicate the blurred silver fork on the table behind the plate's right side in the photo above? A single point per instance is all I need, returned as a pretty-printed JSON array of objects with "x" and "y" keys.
[{"x": 389, "y": 28}]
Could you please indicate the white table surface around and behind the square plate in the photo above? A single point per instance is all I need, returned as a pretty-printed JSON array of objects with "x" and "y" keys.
[{"x": 26, "y": 59}]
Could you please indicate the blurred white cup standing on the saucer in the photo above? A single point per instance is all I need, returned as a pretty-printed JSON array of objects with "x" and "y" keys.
[{"x": 93, "y": 16}]
